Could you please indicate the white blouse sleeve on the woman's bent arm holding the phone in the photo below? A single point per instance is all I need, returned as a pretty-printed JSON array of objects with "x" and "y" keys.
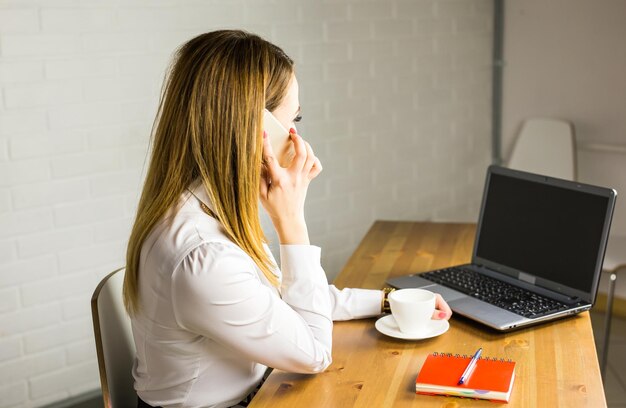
[{"x": 217, "y": 293}]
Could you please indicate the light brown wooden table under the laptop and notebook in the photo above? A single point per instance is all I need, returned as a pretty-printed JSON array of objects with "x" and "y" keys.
[{"x": 557, "y": 365}]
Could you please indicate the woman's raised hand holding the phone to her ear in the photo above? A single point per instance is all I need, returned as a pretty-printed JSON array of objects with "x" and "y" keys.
[{"x": 283, "y": 190}]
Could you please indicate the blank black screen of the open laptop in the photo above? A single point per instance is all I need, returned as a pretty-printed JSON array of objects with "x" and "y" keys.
[{"x": 541, "y": 229}]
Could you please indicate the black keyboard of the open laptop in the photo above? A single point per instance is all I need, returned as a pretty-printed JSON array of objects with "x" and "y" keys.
[{"x": 495, "y": 292}]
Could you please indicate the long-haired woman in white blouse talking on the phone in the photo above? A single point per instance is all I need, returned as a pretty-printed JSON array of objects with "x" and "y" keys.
[{"x": 210, "y": 309}]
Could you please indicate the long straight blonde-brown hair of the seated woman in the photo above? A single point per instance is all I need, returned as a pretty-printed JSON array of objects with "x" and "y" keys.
[{"x": 209, "y": 126}]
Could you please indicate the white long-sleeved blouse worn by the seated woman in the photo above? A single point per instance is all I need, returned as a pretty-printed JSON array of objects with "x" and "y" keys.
[{"x": 211, "y": 323}]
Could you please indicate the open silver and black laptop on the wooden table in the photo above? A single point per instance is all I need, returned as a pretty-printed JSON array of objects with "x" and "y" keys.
[{"x": 537, "y": 255}]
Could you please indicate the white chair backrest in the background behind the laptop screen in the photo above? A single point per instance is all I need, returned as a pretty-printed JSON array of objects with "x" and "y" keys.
[{"x": 545, "y": 146}]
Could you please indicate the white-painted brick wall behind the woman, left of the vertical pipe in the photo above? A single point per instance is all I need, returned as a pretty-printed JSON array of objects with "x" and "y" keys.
[{"x": 395, "y": 97}]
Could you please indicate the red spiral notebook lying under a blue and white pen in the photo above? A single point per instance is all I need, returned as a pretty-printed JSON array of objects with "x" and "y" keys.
[{"x": 492, "y": 379}]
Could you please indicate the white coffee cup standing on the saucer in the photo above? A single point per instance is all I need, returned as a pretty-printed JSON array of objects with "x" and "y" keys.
[{"x": 412, "y": 309}]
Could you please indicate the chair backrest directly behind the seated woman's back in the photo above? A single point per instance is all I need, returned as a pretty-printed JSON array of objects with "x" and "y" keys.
[{"x": 114, "y": 342}]
